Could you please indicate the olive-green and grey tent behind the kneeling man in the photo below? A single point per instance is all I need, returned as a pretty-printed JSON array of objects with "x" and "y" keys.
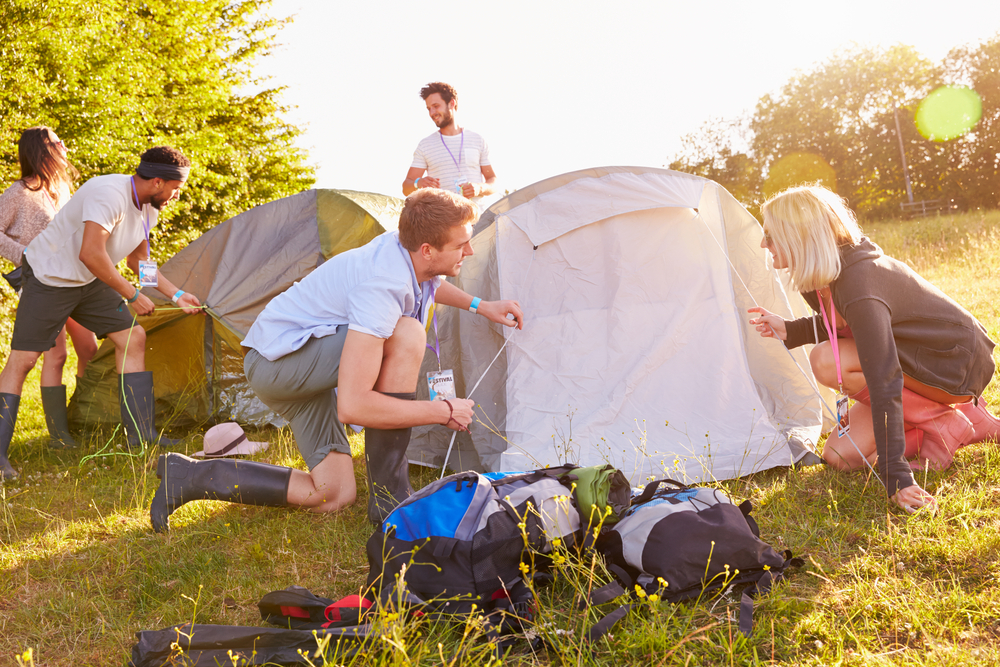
[{"x": 235, "y": 268}]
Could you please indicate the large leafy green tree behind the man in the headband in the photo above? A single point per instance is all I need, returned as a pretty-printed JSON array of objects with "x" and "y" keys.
[{"x": 115, "y": 78}]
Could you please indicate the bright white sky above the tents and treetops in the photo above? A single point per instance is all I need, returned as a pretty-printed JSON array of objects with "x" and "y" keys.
[{"x": 560, "y": 86}]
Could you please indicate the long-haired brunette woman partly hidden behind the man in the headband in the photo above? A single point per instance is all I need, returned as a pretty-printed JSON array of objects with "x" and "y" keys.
[{"x": 26, "y": 208}]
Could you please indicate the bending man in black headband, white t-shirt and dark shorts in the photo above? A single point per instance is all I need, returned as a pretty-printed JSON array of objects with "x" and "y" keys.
[{"x": 69, "y": 271}]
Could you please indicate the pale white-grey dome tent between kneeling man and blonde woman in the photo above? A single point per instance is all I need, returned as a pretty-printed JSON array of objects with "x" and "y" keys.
[{"x": 636, "y": 349}]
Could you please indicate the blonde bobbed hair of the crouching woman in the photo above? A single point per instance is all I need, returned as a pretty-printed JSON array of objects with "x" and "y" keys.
[{"x": 809, "y": 224}]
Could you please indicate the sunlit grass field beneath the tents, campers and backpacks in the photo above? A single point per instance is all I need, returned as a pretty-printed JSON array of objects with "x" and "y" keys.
[{"x": 82, "y": 571}]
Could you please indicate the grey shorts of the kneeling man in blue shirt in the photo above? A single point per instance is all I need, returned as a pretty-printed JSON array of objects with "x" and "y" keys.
[{"x": 300, "y": 387}]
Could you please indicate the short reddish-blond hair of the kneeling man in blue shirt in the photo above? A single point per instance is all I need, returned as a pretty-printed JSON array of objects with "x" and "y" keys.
[{"x": 428, "y": 216}]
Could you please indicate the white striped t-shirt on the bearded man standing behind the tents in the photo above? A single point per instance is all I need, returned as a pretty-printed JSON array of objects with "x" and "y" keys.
[{"x": 462, "y": 165}]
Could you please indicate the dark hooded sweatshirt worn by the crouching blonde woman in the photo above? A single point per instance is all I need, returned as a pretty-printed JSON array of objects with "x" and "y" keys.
[{"x": 901, "y": 324}]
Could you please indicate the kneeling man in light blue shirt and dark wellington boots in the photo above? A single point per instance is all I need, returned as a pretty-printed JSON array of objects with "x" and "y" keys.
[{"x": 357, "y": 323}]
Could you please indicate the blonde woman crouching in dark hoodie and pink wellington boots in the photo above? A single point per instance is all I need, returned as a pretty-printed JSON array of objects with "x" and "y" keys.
[{"x": 915, "y": 361}]
